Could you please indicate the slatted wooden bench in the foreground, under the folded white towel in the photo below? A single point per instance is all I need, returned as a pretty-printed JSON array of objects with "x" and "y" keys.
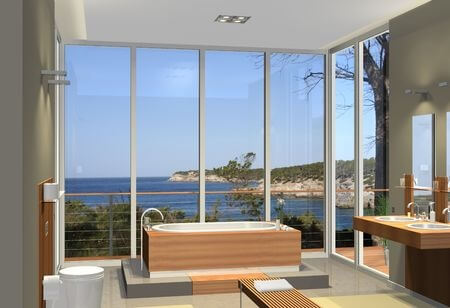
[{"x": 277, "y": 299}]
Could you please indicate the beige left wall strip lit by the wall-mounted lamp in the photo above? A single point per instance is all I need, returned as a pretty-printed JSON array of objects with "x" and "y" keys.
[{"x": 38, "y": 129}]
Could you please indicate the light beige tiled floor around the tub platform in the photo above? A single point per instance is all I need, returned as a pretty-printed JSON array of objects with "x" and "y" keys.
[{"x": 344, "y": 280}]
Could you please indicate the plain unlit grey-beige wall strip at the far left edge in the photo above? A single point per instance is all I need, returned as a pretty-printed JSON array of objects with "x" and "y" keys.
[{"x": 10, "y": 153}]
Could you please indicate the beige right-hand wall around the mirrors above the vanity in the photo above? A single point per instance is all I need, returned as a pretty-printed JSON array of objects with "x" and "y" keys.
[{"x": 419, "y": 59}]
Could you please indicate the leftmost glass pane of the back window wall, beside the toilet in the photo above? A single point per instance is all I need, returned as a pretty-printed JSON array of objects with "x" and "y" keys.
[{"x": 97, "y": 152}]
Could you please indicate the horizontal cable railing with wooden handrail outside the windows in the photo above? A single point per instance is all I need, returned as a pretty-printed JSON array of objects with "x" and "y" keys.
[{"x": 97, "y": 224}]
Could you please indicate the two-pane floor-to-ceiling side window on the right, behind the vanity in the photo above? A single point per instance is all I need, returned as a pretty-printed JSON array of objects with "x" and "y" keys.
[{"x": 360, "y": 105}]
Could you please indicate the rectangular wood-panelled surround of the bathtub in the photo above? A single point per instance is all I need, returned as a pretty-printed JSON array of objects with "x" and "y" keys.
[{"x": 172, "y": 251}]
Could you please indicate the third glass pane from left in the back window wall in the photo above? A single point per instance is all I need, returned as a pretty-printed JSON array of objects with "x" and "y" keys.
[{"x": 234, "y": 135}]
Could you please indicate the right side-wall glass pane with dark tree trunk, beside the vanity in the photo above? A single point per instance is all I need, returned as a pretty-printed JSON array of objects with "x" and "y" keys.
[{"x": 375, "y": 142}]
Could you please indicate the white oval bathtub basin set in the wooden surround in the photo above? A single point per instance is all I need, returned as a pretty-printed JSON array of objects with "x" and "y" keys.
[{"x": 216, "y": 226}]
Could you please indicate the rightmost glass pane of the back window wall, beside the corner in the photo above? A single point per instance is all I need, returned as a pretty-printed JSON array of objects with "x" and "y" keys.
[{"x": 297, "y": 144}]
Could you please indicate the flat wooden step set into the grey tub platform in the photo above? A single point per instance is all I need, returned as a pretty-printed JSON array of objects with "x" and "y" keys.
[{"x": 215, "y": 284}]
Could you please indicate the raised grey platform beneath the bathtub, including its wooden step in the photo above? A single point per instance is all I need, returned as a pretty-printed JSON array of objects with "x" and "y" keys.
[{"x": 138, "y": 284}]
